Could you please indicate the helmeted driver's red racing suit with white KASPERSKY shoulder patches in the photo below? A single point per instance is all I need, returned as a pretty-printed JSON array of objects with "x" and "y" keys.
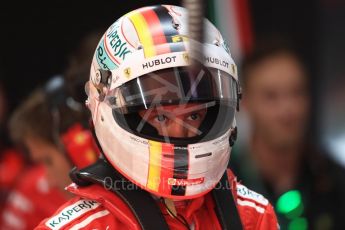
[{"x": 94, "y": 207}]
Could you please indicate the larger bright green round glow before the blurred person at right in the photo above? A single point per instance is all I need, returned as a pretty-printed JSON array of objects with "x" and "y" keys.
[{"x": 290, "y": 204}]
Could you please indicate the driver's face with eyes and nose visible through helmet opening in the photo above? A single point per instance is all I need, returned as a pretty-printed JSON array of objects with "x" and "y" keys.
[{"x": 176, "y": 120}]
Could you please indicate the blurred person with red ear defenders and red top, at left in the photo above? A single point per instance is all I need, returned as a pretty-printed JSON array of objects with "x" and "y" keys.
[{"x": 55, "y": 146}]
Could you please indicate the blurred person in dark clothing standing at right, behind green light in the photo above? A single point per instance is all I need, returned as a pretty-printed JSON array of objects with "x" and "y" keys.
[{"x": 280, "y": 160}]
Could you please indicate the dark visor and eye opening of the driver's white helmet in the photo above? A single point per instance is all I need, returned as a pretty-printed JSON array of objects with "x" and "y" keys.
[{"x": 178, "y": 103}]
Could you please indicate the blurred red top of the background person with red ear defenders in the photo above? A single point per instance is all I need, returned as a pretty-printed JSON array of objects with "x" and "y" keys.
[{"x": 31, "y": 200}]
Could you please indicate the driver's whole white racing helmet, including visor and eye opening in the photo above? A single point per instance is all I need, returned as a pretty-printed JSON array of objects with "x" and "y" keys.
[{"x": 141, "y": 66}]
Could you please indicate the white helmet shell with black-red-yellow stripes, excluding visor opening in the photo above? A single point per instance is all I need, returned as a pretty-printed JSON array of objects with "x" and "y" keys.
[{"x": 142, "y": 42}]
